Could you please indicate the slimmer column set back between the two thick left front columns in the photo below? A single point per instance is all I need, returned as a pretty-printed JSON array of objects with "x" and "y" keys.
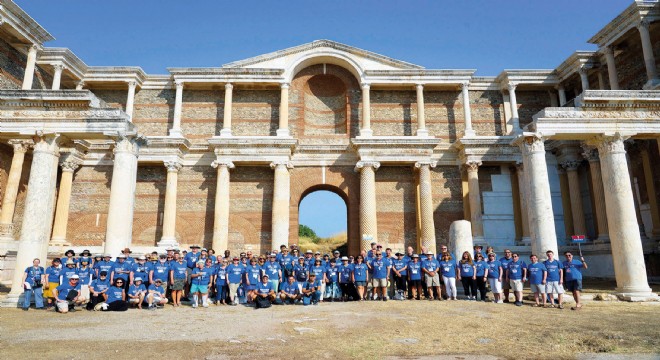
[{"x": 69, "y": 166}]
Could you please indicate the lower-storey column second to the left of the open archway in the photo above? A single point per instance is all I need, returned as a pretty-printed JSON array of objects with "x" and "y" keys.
[{"x": 221, "y": 215}]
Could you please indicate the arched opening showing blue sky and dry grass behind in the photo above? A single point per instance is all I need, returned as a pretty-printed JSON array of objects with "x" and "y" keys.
[{"x": 323, "y": 222}]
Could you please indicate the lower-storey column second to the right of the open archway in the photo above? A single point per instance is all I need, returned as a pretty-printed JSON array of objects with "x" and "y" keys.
[{"x": 427, "y": 228}]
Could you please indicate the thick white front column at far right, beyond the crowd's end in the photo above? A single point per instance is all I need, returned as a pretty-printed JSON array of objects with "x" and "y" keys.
[{"x": 626, "y": 243}]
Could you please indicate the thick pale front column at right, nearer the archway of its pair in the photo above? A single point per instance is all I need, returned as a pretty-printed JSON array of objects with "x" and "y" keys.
[{"x": 541, "y": 216}]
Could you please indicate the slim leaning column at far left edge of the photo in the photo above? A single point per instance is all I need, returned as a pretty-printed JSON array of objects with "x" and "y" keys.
[{"x": 11, "y": 191}]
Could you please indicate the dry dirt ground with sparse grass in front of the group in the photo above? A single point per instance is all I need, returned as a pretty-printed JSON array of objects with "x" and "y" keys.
[{"x": 370, "y": 330}]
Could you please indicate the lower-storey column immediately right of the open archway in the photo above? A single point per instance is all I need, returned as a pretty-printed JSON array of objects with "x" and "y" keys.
[{"x": 368, "y": 210}]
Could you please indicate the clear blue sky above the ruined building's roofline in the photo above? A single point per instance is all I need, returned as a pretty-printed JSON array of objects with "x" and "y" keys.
[{"x": 483, "y": 34}]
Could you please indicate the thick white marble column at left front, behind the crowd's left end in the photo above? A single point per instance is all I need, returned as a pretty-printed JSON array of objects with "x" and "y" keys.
[{"x": 39, "y": 203}]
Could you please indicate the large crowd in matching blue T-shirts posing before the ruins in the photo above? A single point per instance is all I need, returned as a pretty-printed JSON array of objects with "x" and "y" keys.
[{"x": 285, "y": 276}]
